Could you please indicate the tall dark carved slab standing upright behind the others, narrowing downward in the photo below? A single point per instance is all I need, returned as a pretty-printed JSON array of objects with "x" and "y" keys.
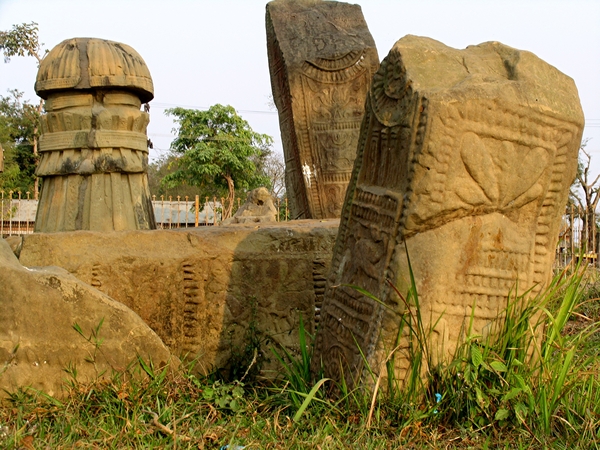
[{"x": 321, "y": 59}]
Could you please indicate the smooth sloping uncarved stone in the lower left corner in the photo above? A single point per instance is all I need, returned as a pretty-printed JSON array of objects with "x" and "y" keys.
[{"x": 39, "y": 307}]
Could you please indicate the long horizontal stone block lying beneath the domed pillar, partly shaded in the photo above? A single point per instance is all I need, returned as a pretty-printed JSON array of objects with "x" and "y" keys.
[{"x": 197, "y": 288}]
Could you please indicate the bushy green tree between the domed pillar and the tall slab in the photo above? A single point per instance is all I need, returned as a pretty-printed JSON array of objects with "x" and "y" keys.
[{"x": 217, "y": 150}]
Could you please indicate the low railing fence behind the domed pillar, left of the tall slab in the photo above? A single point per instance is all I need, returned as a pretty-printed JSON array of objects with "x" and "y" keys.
[{"x": 17, "y": 212}]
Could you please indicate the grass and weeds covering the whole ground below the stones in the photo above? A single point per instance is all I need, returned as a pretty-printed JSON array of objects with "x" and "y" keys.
[{"x": 533, "y": 383}]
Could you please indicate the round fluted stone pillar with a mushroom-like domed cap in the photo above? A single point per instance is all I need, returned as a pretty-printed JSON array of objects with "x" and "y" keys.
[{"x": 93, "y": 148}]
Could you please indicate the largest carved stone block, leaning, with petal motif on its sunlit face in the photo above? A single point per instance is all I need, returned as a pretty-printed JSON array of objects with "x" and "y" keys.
[{"x": 465, "y": 160}]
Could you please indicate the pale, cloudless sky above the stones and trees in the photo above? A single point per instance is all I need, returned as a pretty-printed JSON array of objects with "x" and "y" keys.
[{"x": 202, "y": 52}]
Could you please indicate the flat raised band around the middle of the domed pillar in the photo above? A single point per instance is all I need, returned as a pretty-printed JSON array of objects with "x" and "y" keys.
[{"x": 93, "y": 139}]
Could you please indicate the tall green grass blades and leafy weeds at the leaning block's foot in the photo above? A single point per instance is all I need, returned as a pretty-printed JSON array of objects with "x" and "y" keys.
[{"x": 527, "y": 374}]
